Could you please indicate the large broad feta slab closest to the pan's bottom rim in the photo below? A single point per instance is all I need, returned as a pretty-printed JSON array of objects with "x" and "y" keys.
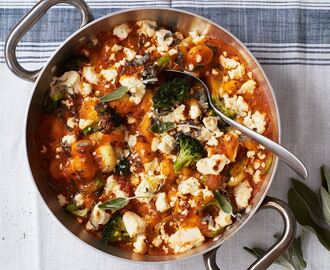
[{"x": 185, "y": 238}]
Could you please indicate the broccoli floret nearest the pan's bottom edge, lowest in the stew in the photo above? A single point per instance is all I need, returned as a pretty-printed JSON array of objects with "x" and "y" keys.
[{"x": 114, "y": 230}]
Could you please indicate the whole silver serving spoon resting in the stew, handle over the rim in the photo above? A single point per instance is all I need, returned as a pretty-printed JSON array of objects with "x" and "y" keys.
[{"x": 274, "y": 147}]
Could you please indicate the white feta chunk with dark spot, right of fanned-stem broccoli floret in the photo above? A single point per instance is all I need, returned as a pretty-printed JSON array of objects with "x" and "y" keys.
[{"x": 212, "y": 165}]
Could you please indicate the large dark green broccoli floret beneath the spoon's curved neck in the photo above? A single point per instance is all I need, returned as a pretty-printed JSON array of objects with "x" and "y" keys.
[{"x": 171, "y": 93}]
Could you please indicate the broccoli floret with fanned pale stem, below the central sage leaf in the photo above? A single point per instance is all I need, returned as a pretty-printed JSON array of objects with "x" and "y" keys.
[{"x": 190, "y": 151}]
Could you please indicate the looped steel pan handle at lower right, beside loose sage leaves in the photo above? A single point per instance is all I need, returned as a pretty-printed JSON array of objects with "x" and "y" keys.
[{"x": 277, "y": 249}]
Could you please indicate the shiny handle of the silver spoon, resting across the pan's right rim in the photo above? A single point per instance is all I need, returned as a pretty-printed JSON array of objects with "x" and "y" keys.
[{"x": 274, "y": 147}]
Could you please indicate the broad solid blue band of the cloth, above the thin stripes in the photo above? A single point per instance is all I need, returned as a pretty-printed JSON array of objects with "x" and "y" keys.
[{"x": 249, "y": 25}]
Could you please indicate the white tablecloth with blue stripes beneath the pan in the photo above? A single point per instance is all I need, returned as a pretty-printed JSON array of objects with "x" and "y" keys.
[{"x": 290, "y": 38}]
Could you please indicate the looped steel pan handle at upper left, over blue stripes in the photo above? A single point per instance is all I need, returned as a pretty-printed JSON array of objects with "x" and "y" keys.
[{"x": 27, "y": 22}]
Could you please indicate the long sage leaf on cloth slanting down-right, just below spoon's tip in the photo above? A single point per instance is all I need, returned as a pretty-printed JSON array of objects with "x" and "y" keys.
[{"x": 311, "y": 201}]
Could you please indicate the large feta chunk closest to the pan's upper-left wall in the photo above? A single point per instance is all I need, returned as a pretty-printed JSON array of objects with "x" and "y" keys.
[{"x": 70, "y": 80}]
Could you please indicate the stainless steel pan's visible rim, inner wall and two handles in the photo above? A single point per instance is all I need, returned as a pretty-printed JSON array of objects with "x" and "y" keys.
[{"x": 185, "y": 22}]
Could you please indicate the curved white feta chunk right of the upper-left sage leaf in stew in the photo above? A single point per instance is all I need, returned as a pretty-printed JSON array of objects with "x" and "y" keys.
[{"x": 136, "y": 87}]
